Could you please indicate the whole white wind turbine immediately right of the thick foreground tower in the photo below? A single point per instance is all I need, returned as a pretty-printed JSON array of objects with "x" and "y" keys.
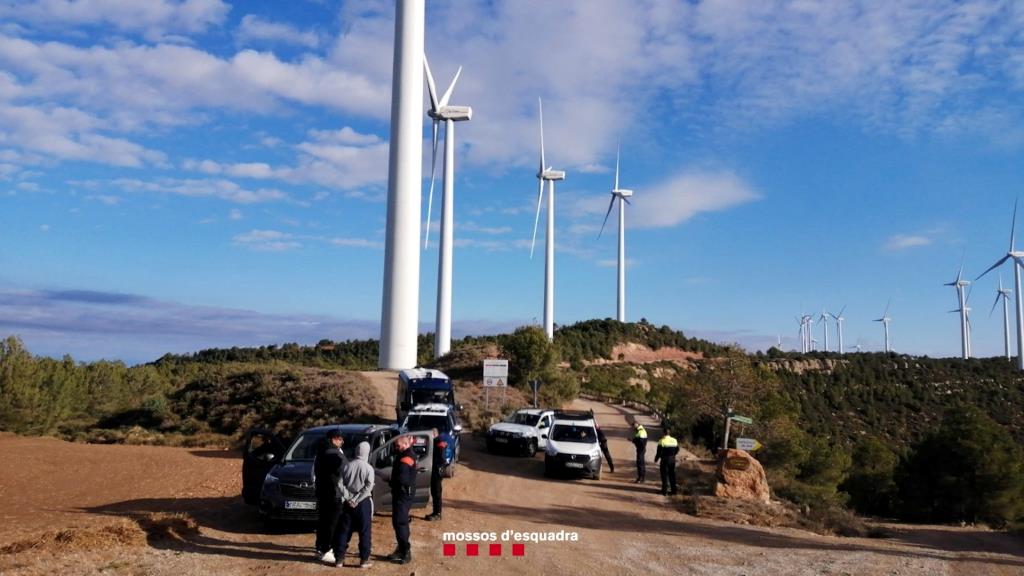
[{"x": 442, "y": 112}]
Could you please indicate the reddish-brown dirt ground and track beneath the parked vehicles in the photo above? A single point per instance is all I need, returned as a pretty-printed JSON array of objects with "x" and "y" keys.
[{"x": 622, "y": 528}]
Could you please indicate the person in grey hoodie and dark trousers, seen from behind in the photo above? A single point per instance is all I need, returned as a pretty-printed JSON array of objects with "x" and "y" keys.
[{"x": 358, "y": 512}]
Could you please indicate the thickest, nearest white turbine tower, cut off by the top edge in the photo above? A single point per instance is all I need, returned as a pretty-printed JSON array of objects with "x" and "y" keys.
[{"x": 401, "y": 296}]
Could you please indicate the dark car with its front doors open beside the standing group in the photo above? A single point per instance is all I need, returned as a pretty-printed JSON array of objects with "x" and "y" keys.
[{"x": 280, "y": 480}]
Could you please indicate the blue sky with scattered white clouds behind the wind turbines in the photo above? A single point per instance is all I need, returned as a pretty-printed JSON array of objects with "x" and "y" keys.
[{"x": 184, "y": 175}]
